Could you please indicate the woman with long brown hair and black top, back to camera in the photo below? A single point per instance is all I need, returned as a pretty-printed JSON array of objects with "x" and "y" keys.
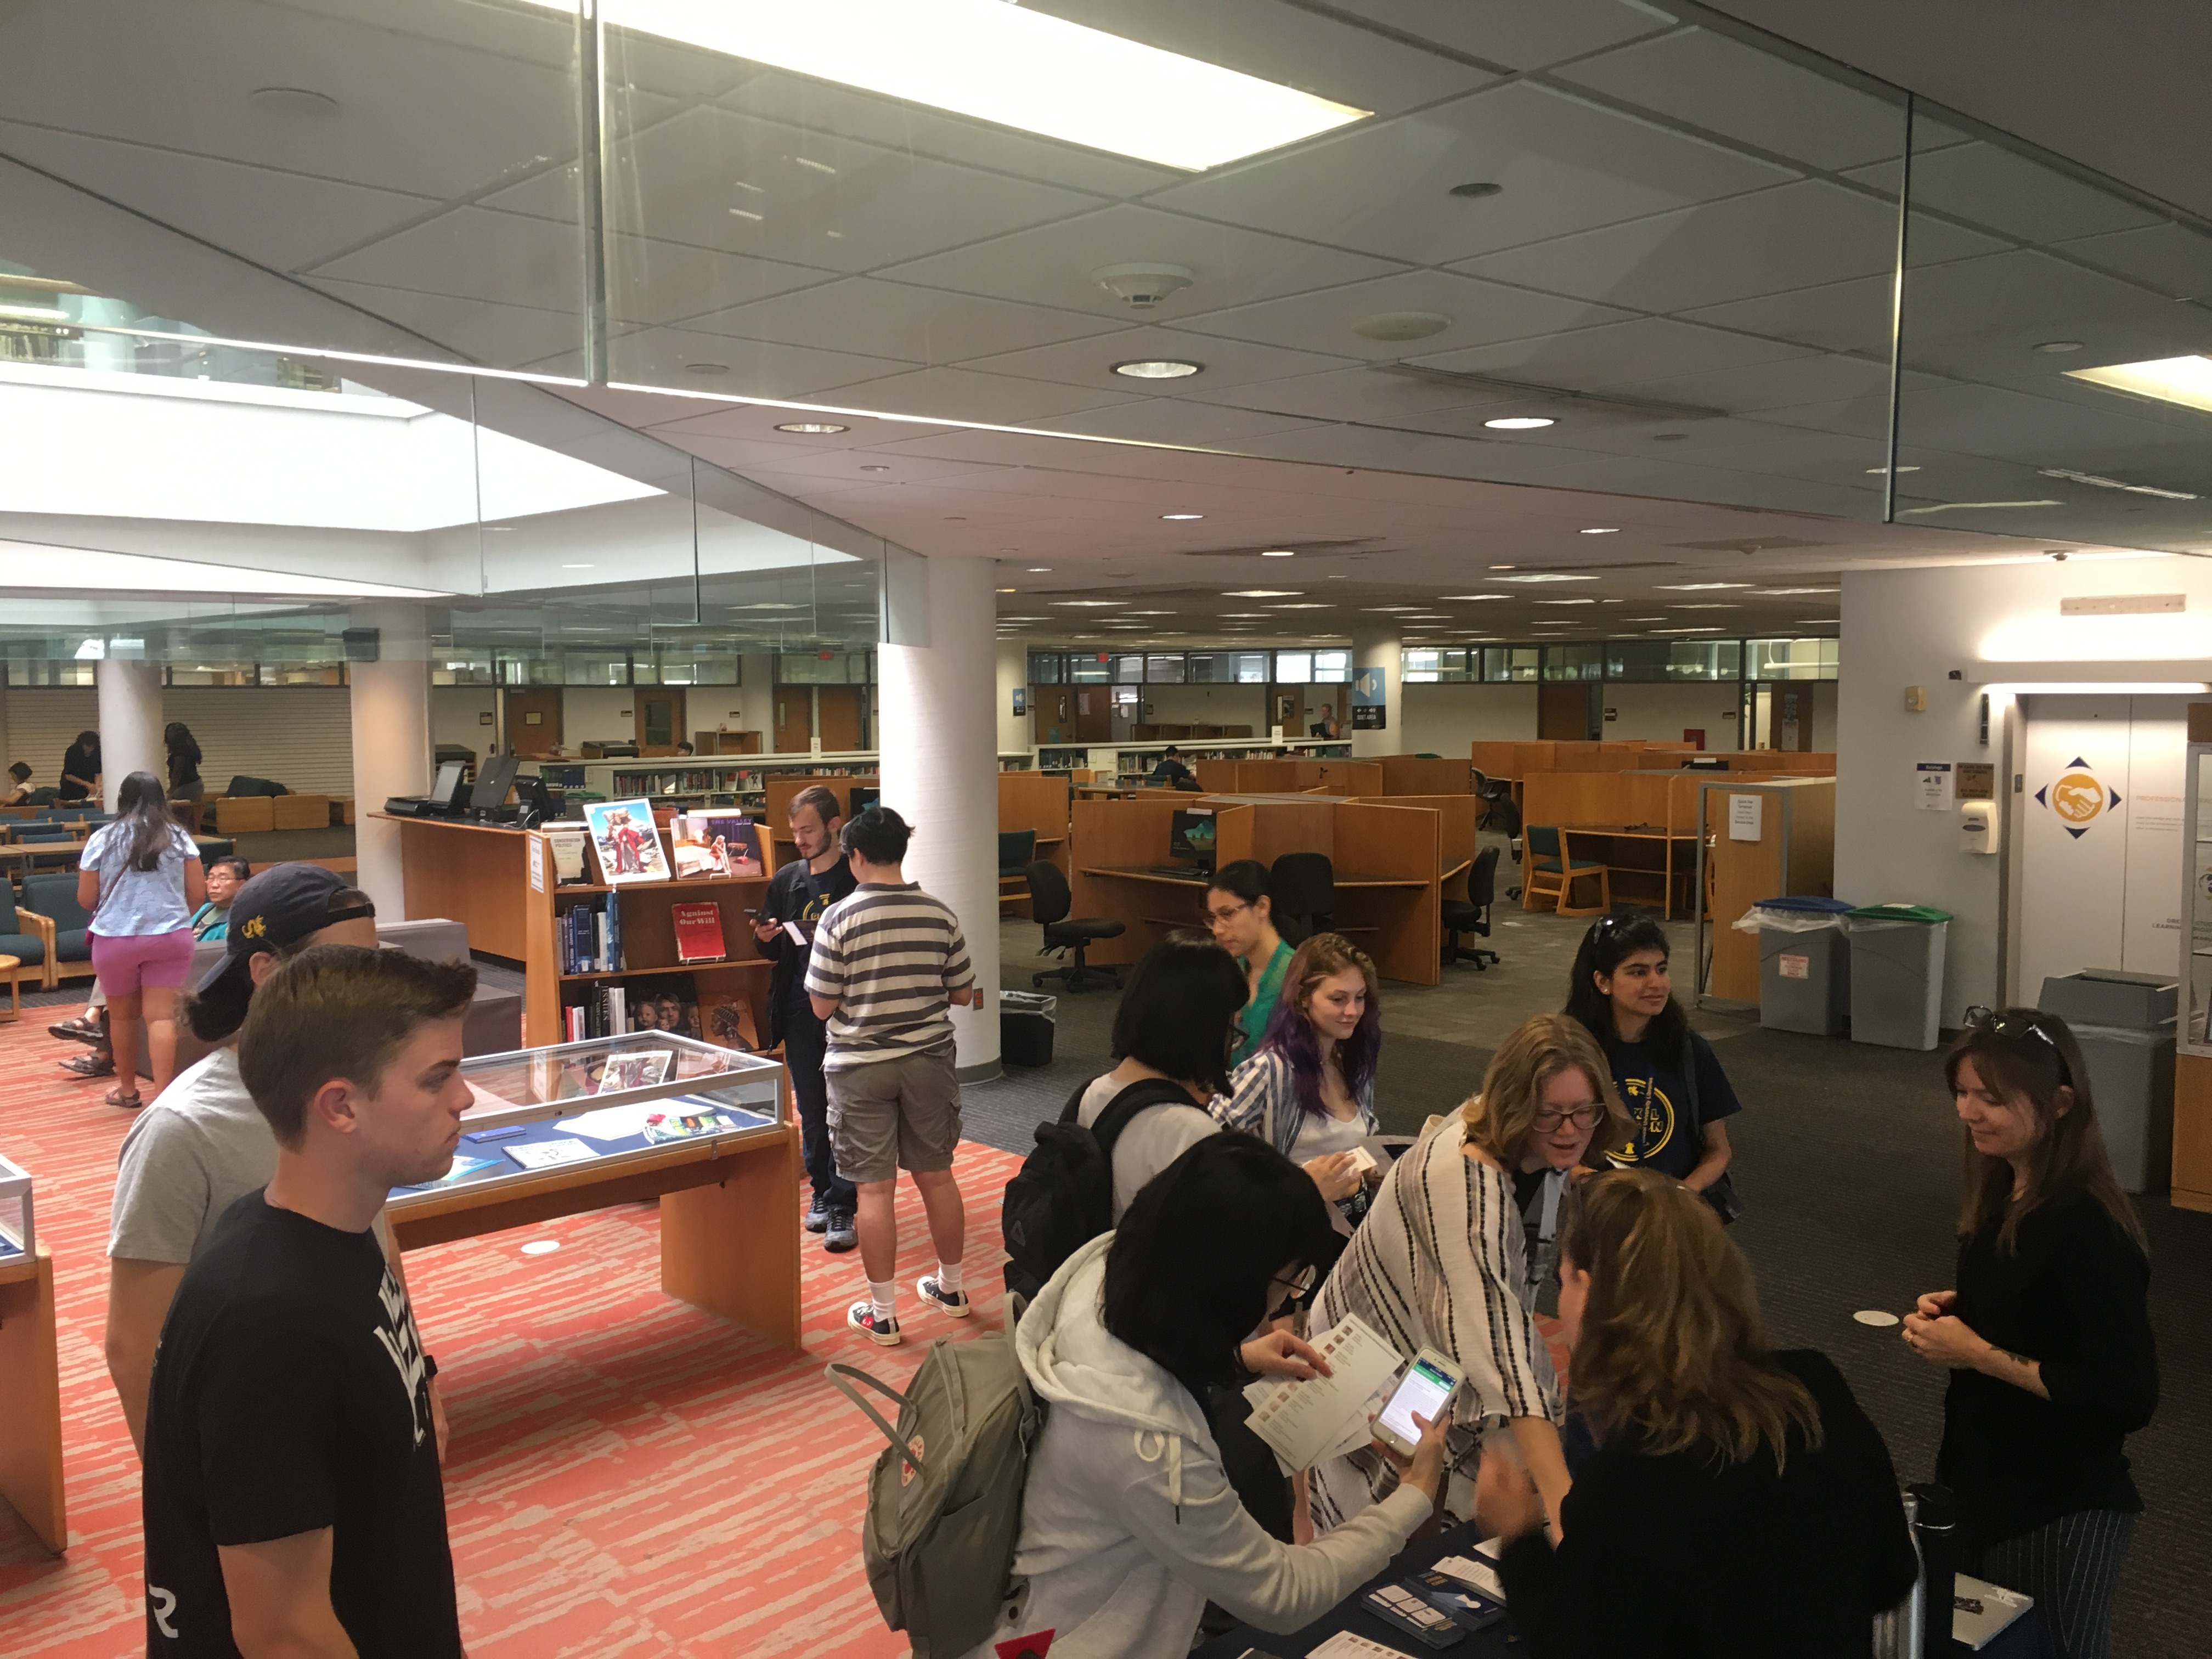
[{"x": 1760, "y": 1463}]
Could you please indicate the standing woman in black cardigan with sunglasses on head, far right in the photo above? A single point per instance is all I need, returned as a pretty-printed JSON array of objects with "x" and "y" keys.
[{"x": 2047, "y": 1335}]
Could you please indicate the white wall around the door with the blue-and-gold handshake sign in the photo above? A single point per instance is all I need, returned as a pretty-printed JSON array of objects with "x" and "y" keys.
[{"x": 1994, "y": 620}]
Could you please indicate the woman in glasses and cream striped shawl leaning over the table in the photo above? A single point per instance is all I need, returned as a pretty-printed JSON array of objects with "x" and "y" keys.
[{"x": 1443, "y": 1258}]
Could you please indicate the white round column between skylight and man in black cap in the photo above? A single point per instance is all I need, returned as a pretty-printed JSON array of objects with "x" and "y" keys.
[{"x": 390, "y": 742}]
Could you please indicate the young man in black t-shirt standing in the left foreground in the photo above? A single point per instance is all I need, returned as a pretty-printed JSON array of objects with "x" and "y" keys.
[{"x": 293, "y": 1494}]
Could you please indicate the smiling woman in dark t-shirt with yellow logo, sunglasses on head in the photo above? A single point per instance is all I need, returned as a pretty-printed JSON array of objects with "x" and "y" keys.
[{"x": 1669, "y": 1078}]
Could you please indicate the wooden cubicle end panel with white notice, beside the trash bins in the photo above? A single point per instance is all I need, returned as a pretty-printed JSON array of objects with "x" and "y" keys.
[{"x": 1793, "y": 855}]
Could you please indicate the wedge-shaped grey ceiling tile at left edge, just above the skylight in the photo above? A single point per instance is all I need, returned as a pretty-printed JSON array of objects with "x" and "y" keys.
[{"x": 278, "y": 220}]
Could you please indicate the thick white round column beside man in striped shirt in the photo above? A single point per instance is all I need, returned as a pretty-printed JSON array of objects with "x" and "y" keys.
[{"x": 939, "y": 747}]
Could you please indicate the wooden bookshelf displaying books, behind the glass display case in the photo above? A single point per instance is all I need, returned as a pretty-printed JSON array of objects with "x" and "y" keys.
[{"x": 649, "y": 941}]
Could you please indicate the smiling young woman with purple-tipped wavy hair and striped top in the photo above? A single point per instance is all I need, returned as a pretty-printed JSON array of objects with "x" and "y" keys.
[{"x": 1313, "y": 1083}]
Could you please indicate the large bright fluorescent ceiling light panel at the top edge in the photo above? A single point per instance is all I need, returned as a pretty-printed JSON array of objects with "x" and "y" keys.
[{"x": 1005, "y": 65}]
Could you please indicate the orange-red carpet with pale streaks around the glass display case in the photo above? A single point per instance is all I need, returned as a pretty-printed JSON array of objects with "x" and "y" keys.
[{"x": 627, "y": 1477}]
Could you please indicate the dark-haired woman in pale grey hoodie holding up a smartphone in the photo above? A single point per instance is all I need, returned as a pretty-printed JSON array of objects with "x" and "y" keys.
[{"x": 1129, "y": 1523}]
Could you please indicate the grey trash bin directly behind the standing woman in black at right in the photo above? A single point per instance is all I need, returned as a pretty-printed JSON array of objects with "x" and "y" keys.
[{"x": 2127, "y": 1030}]
